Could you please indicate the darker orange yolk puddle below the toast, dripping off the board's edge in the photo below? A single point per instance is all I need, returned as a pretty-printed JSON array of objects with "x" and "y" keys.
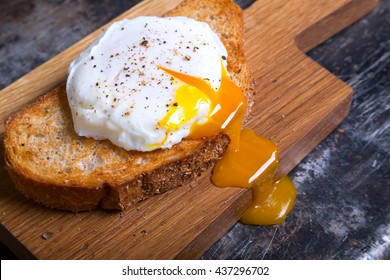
[{"x": 254, "y": 165}]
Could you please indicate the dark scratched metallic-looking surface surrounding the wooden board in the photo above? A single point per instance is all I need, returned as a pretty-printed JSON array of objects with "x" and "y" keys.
[{"x": 342, "y": 209}]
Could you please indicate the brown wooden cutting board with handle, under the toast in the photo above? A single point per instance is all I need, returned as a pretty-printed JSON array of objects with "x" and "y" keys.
[{"x": 297, "y": 105}]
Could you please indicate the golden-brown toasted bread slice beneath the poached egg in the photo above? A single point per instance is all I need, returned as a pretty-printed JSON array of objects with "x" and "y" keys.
[{"x": 51, "y": 164}]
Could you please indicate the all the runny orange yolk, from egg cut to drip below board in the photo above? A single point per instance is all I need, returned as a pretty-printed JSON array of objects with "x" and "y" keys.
[{"x": 250, "y": 160}]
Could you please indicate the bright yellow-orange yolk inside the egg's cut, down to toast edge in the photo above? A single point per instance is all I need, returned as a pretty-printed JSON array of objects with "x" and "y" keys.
[{"x": 227, "y": 106}]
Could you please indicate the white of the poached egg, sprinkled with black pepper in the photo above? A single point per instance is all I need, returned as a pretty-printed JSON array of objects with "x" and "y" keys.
[{"x": 117, "y": 91}]
